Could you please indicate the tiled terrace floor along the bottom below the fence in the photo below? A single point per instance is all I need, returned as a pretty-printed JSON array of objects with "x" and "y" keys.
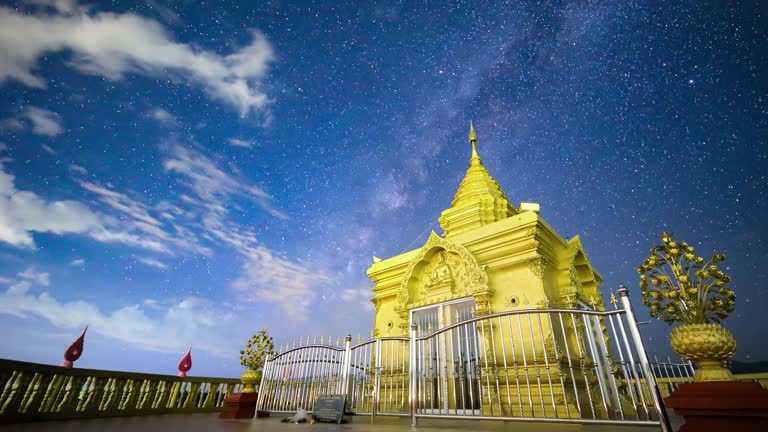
[{"x": 211, "y": 423}]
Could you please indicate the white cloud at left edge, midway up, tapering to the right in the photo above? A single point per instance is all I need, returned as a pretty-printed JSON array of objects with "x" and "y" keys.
[{"x": 24, "y": 212}]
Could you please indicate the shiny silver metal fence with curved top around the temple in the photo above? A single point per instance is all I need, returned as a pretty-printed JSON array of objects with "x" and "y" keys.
[{"x": 557, "y": 365}]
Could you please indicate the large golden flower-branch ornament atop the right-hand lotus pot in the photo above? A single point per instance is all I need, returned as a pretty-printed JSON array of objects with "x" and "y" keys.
[{"x": 679, "y": 286}]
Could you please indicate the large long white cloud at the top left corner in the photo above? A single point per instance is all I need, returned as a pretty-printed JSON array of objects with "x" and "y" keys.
[{"x": 112, "y": 45}]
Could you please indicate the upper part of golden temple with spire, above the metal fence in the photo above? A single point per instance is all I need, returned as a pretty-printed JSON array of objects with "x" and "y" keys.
[{"x": 495, "y": 255}]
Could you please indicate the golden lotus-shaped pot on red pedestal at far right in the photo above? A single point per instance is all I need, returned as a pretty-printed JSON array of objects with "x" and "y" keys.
[{"x": 709, "y": 345}]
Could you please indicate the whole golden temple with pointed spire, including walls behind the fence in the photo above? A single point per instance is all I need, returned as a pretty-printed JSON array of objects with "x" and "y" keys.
[{"x": 494, "y": 258}]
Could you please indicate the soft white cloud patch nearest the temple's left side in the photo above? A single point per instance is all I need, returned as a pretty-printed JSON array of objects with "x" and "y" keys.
[{"x": 292, "y": 285}]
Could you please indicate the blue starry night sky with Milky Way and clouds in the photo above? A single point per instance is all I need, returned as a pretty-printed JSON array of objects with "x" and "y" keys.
[{"x": 183, "y": 173}]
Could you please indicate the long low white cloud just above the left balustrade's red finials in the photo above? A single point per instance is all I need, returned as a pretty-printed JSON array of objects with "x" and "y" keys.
[{"x": 169, "y": 327}]
